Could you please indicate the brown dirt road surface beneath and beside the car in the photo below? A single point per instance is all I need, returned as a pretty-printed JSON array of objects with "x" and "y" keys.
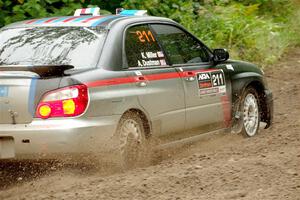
[{"x": 226, "y": 166}]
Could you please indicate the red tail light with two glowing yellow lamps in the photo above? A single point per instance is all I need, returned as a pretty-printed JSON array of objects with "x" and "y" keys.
[{"x": 65, "y": 102}]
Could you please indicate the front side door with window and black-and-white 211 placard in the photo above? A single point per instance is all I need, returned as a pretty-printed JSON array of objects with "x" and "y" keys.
[{"x": 204, "y": 84}]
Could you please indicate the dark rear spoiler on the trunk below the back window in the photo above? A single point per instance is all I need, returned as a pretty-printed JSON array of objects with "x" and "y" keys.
[{"x": 43, "y": 71}]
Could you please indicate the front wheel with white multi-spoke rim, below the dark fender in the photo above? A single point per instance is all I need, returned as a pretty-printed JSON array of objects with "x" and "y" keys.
[{"x": 250, "y": 112}]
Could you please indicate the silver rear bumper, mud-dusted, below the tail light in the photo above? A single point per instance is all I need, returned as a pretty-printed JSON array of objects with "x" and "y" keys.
[{"x": 54, "y": 138}]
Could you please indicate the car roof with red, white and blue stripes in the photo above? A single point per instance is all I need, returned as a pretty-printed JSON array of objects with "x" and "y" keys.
[{"x": 104, "y": 21}]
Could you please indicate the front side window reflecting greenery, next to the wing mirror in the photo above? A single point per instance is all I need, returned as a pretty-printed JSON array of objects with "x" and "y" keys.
[{"x": 181, "y": 47}]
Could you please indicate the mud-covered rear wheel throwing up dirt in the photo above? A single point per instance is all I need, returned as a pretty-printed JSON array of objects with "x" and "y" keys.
[{"x": 133, "y": 148}]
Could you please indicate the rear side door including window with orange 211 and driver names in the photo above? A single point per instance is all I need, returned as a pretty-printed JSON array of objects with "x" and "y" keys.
[{"x": 157, "y": 84}]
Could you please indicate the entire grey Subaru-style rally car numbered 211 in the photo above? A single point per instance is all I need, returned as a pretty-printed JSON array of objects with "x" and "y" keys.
[{"x": 91, "y": 83}]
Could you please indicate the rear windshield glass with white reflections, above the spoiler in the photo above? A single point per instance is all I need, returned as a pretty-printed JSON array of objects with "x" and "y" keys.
[{"x": 76, "y": 46}]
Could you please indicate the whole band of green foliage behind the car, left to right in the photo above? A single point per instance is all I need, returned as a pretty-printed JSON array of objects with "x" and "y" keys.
[{"x": 254, "y": 30}]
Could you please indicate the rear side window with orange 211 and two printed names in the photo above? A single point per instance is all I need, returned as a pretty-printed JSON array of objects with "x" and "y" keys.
[{"x": 142, "y": 49}]
